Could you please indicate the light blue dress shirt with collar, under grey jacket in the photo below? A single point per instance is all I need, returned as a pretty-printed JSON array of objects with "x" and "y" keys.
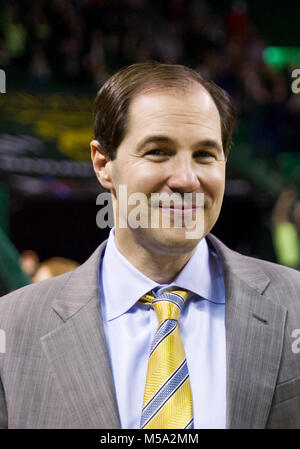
[{"x": 130, "y": 327}]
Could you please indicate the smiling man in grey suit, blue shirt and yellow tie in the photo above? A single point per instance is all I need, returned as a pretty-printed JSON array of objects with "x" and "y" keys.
[{"x": 88, "y": 349}]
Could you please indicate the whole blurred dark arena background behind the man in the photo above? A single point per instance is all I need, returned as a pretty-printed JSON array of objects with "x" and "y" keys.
[{"x": 57, "y": 54}]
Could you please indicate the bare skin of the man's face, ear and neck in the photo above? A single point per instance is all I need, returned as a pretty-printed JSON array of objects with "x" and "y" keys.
[{"x": 173, "y": 144}]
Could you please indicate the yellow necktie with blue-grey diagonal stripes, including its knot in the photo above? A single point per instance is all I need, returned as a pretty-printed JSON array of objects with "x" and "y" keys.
[{"x": 167, "y": 398}]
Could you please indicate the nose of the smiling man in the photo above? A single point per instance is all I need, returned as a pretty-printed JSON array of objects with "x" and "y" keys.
[{"x": 183, "y": 177}]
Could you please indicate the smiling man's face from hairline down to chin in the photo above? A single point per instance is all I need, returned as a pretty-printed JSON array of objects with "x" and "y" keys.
[{"x": 173, "y": 145}]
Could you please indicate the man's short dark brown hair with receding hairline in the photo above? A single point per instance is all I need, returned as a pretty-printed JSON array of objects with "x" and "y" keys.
[{"x": 113, "y": 100}]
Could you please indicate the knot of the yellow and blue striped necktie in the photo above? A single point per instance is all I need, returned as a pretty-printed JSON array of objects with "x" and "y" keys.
[{"x": 167, "y": 304}]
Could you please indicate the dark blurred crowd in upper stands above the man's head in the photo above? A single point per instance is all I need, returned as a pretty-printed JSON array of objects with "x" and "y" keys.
[{"x": 87, "y": 40}]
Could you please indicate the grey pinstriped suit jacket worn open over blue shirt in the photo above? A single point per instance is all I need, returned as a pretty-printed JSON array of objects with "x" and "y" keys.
[{"x": 56, "y": 373}]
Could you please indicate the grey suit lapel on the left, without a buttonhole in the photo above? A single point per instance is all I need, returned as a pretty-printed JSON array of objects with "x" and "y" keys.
[{"x": 77, "y": 353}]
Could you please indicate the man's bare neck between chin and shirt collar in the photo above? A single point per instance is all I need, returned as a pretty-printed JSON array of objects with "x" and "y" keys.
[{"x": 158, "y": 265}]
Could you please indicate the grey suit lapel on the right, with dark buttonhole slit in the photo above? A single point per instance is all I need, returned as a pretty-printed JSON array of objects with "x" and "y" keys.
[{"x": 254, "y": 339}]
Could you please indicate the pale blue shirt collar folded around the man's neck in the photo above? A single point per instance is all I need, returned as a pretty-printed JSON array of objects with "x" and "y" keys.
[{"x": 199, "y": 275}]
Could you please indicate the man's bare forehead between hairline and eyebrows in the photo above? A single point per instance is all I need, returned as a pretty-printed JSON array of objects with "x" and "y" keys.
[{"x": 163, "y": 110}]
